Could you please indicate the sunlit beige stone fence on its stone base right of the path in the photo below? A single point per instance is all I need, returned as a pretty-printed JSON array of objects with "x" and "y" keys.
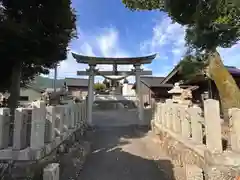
[{"x": 193, "y": 138}]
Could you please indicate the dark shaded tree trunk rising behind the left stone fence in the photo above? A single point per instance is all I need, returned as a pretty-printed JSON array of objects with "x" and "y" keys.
[{"x": 14, "y": 94}]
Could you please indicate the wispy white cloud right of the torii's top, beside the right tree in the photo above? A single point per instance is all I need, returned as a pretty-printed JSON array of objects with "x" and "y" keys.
[{"x": 167, "y": 39}]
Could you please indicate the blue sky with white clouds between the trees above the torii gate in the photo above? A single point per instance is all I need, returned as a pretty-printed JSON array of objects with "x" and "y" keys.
[{"x": 106, "y": 28}]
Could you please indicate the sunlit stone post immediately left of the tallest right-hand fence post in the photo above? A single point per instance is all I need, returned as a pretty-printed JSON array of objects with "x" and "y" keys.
[{"x": 196, "y": 124}]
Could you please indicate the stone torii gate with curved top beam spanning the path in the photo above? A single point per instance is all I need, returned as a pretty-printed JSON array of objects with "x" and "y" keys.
[{"x": 92, "y": 71}]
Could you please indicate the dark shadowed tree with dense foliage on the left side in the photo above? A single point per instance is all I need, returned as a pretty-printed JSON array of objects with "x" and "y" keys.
[{"x": 34, "y": 37}]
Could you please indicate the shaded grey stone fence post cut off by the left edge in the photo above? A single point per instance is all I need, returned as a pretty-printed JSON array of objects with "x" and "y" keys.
[{"x": 4, "y": 127}]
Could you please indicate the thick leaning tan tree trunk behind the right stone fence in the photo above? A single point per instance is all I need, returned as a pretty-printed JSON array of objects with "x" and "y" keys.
[{"x": 227, "y": 87}]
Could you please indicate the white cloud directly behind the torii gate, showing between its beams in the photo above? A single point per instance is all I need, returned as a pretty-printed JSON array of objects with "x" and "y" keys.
[{"x": 106, "y": 44}]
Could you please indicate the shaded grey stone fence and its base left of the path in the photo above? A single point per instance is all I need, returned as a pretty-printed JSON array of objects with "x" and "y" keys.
[{"x": 42, "y": 135}]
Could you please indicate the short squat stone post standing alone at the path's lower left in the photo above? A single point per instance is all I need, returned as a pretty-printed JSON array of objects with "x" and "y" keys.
[{"x": 51, "y": 172}]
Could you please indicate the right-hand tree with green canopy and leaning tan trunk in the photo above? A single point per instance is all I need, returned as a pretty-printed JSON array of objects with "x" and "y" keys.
[{"x": 209, "y": 24}]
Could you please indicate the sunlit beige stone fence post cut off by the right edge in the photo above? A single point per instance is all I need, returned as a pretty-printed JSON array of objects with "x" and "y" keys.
[{"x": 234, "y": 123}]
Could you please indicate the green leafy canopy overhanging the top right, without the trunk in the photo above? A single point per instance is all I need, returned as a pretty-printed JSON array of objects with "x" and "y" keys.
[{"x": 209, "y": 23}]
